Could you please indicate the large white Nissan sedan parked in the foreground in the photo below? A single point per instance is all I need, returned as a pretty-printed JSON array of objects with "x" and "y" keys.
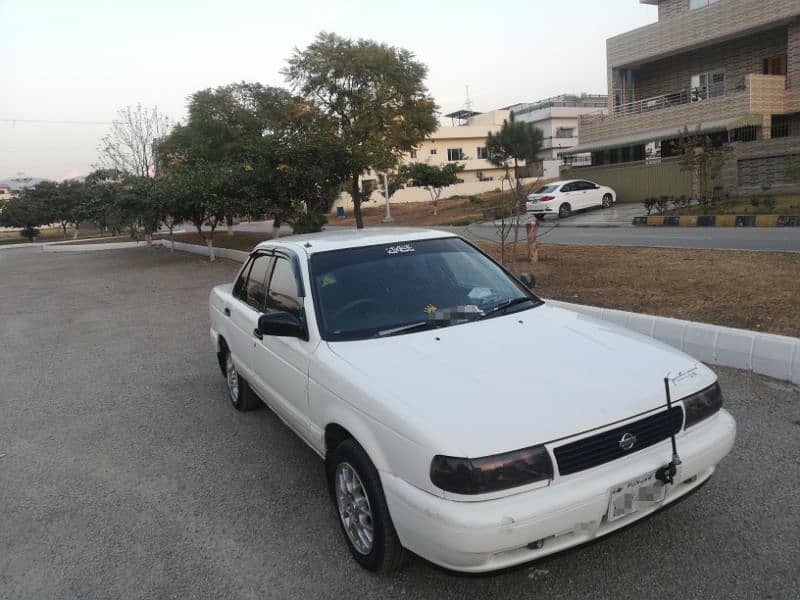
[{"x": 459, "y": 416}]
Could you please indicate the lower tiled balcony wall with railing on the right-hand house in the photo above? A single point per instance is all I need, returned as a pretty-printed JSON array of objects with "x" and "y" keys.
[{"x": 744, "y": 101}]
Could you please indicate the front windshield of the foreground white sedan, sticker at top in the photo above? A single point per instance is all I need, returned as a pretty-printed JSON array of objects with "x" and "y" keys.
[{"x": 399, "y": 288}]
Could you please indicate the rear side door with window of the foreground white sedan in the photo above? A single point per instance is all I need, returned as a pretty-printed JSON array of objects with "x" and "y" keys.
[{"x": 245, "y": 309}]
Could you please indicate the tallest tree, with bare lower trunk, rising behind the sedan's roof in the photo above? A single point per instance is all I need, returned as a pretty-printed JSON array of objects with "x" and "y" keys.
[{"x": 375, "y": 96}]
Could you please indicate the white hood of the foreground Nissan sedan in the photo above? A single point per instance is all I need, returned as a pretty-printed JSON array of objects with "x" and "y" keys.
[{"x": 517, "y": 380}]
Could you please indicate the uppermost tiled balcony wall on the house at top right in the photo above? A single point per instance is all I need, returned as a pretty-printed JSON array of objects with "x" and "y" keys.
[{"x": 715, "y": 23}]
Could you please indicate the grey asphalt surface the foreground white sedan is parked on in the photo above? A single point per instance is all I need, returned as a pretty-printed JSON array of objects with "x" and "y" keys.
[{"x": 124, "y": 473}]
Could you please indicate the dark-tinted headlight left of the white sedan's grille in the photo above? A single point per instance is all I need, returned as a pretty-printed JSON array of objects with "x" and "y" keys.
[{"x": 492, "y": 473}]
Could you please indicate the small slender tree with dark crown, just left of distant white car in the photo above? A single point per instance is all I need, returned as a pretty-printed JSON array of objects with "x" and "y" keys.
[{"x": 515, "y": 142}]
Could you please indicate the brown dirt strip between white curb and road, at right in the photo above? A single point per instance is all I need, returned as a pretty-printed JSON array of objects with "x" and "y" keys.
[{"x": 751, "y": 290}]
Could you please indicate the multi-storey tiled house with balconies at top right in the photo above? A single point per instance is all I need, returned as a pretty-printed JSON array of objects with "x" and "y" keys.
[{"x": 726, "y": 68}]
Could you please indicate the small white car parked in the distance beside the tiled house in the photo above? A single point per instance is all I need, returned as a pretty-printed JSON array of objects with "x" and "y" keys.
[{"x": 563, "y": 198}]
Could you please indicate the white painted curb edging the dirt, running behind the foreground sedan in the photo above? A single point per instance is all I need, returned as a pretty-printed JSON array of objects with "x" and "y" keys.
[{"x": 764, "y": 353}]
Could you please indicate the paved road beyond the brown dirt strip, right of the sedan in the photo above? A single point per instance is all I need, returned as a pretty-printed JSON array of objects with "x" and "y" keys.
[{"x": 778, "y": 239}]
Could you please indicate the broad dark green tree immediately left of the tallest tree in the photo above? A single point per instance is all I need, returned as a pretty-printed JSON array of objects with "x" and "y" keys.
[{"x": 275, "y": 153}]
